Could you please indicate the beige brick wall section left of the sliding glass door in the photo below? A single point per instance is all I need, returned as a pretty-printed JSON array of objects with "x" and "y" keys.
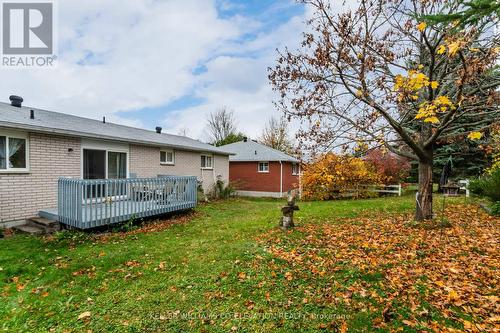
[{"x": 23, "y": 195}]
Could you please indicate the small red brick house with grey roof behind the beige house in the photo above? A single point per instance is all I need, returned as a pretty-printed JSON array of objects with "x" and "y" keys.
[{"x": 261, "y": 171}]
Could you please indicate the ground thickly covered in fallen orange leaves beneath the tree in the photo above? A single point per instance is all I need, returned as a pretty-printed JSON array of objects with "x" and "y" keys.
[{"x": 401, "y": 274}]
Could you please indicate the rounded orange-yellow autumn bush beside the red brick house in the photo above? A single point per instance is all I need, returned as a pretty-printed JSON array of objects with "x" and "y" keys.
[{"x": 331, "y": 175}]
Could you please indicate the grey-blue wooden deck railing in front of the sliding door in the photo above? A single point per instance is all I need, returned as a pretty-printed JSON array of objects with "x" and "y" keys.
[{"x": 85, "y": 203}]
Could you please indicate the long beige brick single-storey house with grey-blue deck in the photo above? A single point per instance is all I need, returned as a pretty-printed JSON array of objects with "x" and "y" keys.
[{"x": 104, "y": 162}]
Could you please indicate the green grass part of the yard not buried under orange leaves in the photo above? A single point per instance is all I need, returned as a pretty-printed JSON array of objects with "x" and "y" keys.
[{"x": 210, "y": 274}]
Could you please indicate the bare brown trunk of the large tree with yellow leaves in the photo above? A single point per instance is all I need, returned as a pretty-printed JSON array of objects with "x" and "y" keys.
[{"x": 424, "y": 195}]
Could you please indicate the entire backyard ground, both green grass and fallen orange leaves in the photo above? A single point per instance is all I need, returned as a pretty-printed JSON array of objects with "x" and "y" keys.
[{"x": 355, "y": 266}]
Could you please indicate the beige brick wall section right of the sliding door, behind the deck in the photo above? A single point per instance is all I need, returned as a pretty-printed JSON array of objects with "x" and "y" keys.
[{"x": 145, "y": 162}]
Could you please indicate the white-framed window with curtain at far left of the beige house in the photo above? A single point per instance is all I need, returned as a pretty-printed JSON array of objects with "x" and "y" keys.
[{"x": 13, "y": 153}]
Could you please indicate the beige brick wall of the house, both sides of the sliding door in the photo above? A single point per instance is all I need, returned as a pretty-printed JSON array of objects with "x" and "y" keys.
[{"x": 23, "y": 195}]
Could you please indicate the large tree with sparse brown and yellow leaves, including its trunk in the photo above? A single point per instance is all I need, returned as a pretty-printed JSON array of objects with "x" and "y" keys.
[{"x": 379, "y": 75}]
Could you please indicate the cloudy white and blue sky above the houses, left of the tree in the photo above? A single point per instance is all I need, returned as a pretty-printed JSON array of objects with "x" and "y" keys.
[{"x": 163, "y": 62}]
